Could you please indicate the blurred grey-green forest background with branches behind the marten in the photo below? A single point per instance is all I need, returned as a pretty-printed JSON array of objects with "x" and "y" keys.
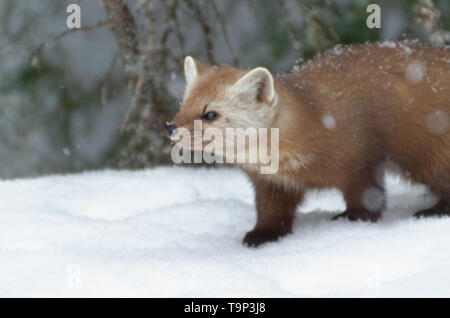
[{"x": 97, "y": 97}]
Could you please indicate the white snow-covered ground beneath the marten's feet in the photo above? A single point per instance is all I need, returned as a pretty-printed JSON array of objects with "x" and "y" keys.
[{"x": 177, "y": 232}]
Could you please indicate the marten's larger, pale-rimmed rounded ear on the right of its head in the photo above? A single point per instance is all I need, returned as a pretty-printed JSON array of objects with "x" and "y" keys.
[{"x": 258, "y": 83}]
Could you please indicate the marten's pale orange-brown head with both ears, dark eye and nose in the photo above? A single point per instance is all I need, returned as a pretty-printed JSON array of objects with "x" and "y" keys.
[{"x": 224, "y": 97}]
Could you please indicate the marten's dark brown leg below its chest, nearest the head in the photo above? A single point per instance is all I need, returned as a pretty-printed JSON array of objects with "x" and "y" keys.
[{"x": 275, "y": 207}]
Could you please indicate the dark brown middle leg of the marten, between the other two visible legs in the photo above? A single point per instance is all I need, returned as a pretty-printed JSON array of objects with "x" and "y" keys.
[{"x": 365, "y": 200}]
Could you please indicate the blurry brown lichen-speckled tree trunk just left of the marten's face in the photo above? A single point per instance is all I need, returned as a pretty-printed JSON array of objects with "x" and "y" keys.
[{"x": 144, "y": 65}]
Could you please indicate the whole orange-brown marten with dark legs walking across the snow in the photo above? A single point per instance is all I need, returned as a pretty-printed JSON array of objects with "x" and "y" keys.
[{"x": 343, "y": 117}]
